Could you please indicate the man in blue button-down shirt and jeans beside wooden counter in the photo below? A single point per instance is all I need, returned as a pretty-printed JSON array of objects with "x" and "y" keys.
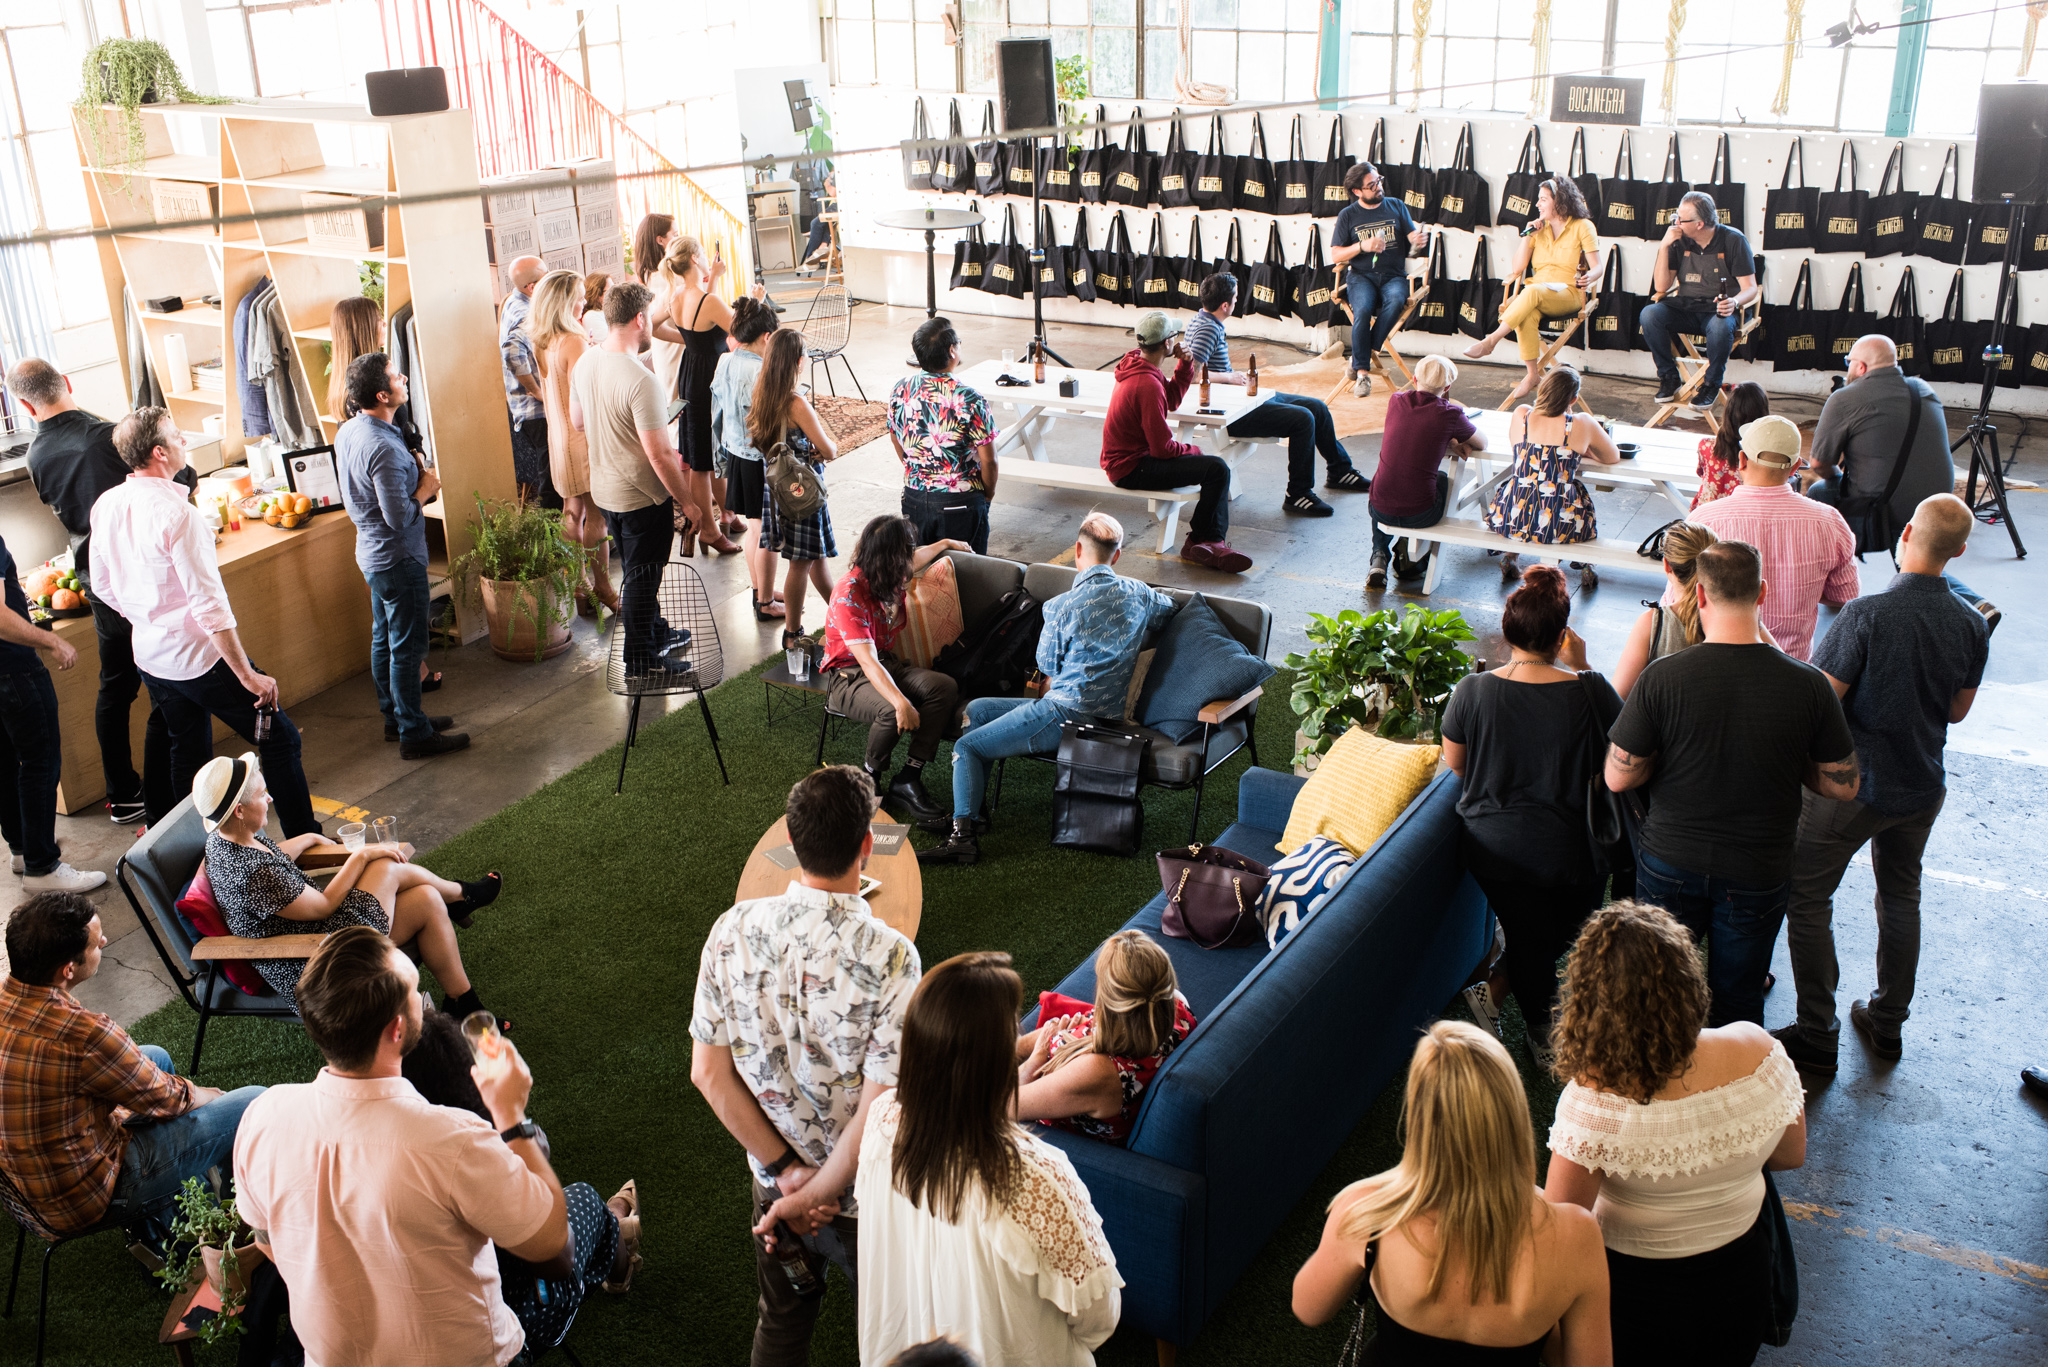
[{"x": 386, "y": 493}]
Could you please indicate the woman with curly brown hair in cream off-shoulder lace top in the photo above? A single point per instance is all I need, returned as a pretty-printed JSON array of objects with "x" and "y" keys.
[{"x": 1666, "y": 1132}]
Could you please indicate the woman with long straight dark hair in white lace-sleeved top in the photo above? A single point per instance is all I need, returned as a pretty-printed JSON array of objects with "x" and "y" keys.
[{"x": 970, "y": 1225}]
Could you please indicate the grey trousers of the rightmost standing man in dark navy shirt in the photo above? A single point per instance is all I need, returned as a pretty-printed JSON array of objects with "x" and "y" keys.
[{"x": 1830, "y": 833}]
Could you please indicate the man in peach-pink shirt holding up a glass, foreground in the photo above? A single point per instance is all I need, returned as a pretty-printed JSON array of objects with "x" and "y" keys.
[{"x": 378, "y": 1208}]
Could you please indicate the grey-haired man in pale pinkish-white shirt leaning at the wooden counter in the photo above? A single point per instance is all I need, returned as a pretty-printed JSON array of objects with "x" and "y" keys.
[{"x": 155, "y": 563}]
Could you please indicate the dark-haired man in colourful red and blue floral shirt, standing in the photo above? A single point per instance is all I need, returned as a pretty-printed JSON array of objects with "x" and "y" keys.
[{"x": 945, "y": 436}]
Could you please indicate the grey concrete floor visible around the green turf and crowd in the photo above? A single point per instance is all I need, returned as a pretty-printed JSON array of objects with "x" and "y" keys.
[{"x": 1924, "y": 1204}]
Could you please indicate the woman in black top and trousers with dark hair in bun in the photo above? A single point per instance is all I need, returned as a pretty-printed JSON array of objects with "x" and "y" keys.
[{"x": 1519, "y": 741}]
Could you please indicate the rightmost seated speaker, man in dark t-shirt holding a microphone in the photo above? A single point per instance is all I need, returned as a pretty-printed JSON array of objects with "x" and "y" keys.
[{"x": 1707, "y": 276}]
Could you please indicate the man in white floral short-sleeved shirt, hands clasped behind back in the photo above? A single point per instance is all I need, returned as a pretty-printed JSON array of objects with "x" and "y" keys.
[{"x": 798, "y": 1030}]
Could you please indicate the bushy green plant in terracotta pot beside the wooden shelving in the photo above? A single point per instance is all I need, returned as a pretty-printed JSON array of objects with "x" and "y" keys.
[{"x": 525, "y": 573}]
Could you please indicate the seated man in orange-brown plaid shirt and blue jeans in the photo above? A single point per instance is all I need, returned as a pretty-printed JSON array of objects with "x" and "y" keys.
[{"x": 93, "y": 1124}]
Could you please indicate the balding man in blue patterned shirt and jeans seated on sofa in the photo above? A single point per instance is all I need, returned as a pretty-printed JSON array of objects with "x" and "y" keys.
[{"x": 1089, "y": 649}]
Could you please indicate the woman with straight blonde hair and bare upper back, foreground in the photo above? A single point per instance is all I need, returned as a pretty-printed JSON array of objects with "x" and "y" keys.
[{"x": 1465, "y": 1261}]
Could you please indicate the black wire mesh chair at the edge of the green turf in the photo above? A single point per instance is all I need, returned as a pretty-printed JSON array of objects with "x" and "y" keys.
[{"x": 675, "y": 653}]
